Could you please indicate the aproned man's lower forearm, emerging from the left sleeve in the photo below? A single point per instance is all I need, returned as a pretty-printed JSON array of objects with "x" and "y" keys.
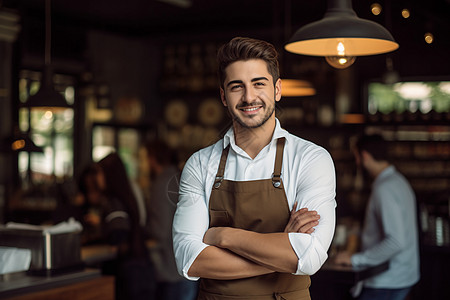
[{"x": 218, "y": 263}]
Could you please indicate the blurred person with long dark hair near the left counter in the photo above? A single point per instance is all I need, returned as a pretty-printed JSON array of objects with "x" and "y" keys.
[{"x": 113, "y": 216}]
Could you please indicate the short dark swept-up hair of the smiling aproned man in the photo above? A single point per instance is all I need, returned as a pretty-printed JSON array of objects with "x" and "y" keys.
[{"x": 243, "y": 48}]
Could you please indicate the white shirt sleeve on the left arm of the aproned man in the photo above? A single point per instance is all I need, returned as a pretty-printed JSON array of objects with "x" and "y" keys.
[{"x": 191, "y": 218}]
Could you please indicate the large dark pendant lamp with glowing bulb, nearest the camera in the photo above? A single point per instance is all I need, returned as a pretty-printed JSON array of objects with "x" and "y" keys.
[{"x": 340, "y": 36}]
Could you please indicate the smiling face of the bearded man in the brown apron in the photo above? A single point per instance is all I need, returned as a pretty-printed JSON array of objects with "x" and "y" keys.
[{"x": 249, "y": 93}]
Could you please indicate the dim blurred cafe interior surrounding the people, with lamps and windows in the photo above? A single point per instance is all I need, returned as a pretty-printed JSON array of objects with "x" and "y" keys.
[{"x": 82, "y": 79}]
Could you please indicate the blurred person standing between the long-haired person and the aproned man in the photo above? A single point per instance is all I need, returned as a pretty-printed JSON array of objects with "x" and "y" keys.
[{"x": 164, "y": 176}]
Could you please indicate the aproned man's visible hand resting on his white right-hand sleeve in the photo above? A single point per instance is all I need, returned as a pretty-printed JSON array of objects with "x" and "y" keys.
[{"x": 302, "y": 220}]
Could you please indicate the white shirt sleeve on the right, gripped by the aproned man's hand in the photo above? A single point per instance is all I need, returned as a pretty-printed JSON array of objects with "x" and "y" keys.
[{"x": 316, "y": 185}]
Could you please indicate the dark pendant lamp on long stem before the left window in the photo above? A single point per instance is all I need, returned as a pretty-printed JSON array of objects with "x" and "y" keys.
[{"x": 47, "y": 97}]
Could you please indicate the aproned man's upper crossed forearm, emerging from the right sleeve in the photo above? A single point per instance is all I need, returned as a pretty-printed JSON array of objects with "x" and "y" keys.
[{"x": 270, "y": 250}]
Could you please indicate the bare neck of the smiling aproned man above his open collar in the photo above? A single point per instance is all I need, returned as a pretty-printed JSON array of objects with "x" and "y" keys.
[{"x": 253, "y": 140}]
